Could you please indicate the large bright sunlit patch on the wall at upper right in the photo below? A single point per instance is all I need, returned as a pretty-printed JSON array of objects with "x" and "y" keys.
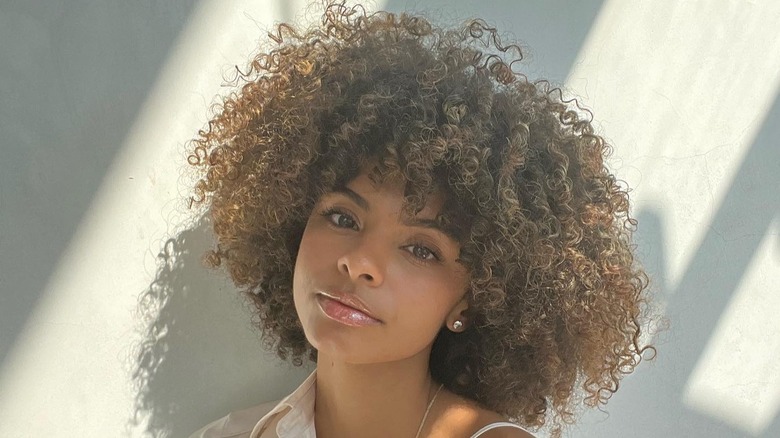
[{"x": 673, "y": 86}]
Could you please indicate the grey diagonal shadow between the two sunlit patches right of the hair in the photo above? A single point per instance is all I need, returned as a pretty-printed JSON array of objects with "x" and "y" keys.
[{"x": 696, "y": 304}]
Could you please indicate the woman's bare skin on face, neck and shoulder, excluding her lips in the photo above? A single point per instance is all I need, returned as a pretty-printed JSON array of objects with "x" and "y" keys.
[{"x": 376, "y": 378}]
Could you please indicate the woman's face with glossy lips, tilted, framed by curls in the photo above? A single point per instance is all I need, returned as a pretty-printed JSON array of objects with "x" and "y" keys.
[{"x": 359, "y": 251}]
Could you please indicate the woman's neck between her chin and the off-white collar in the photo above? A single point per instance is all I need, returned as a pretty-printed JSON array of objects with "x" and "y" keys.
[{"x": 385, "y": 399}]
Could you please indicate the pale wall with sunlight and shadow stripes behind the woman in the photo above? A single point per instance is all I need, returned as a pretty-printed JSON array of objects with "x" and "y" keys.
[{"x": 97, "y": 98}]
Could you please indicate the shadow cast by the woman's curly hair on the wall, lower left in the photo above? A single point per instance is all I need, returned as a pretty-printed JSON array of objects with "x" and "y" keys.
[{"x": 198, "y": 358}]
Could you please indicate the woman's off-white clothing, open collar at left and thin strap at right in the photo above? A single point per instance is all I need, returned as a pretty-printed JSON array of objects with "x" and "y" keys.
[{"x": 293, "y": 417}]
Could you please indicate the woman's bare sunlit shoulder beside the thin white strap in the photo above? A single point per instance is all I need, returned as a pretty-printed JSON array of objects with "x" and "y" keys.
[{"x": 460, "y": 417}]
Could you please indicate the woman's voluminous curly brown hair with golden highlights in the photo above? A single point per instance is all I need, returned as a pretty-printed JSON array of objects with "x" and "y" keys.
[{"x": 555, "y": 296}]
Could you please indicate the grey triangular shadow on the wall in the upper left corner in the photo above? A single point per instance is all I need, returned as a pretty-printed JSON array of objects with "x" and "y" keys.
[{"x": 72, "y": 79}]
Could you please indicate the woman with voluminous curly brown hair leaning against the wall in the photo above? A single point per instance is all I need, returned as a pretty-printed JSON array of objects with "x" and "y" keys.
[{"x": 439, "y": 234}]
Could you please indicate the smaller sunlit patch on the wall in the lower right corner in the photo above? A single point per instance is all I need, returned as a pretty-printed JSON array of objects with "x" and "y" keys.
[{"x": 737, "y": 378}]
